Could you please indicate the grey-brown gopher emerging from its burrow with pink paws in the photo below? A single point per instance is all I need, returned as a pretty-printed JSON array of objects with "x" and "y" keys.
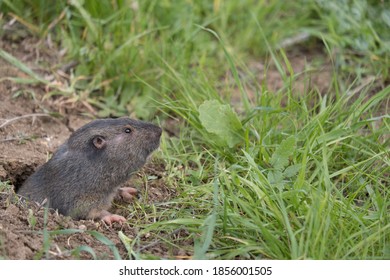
[{"x": 85, "y": 173}]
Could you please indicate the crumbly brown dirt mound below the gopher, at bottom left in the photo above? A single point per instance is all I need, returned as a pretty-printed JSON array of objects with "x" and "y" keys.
[{"x": 33, "y": 232}]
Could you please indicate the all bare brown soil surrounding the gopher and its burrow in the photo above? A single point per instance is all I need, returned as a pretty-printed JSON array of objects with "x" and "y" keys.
[{"x": 29, "y": 134}]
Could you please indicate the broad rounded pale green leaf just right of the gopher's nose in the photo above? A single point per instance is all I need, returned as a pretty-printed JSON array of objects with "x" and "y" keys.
[{"x": 222, "y": 121}]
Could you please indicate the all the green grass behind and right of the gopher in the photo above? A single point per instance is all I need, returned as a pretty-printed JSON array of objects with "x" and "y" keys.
[{"x": 264, "y": 173}]
